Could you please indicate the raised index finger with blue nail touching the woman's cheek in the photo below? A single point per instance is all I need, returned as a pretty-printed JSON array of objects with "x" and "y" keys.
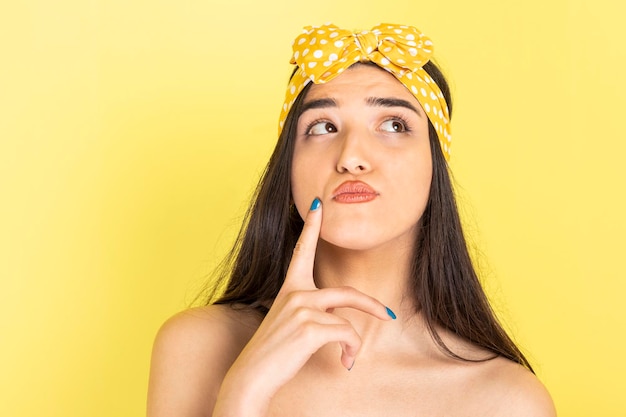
[{"x": 300, "y": 272}]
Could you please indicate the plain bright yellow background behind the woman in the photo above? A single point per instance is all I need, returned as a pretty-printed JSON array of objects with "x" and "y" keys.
[{"x": 131, "y": 133}]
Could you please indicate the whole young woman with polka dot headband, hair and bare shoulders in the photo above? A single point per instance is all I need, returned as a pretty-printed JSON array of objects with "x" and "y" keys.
[{"x": 351, "y": 290}]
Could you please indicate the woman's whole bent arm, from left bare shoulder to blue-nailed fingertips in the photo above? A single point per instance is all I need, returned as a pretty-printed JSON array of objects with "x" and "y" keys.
[{"x": 200, "y": 364}]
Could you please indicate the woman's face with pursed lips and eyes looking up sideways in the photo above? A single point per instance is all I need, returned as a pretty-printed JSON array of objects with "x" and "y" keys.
[{"x": 362, "y": 147}]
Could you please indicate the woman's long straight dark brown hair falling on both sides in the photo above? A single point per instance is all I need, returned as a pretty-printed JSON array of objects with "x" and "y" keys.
[{"x": 446, "y": 288}]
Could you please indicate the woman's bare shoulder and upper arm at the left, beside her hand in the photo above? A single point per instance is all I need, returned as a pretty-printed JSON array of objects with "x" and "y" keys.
[{"x": 192, "y": 352}]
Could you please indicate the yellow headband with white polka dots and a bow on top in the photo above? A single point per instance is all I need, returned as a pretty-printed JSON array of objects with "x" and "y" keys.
[{"x": 324, "y": 52}]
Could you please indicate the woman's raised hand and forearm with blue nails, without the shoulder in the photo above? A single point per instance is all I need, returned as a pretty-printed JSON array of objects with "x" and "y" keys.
[{"x": 298, "y": 324}]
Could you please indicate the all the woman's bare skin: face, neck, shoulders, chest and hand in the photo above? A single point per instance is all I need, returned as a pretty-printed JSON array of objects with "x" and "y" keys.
[{"x": 327, "y": 344}]
